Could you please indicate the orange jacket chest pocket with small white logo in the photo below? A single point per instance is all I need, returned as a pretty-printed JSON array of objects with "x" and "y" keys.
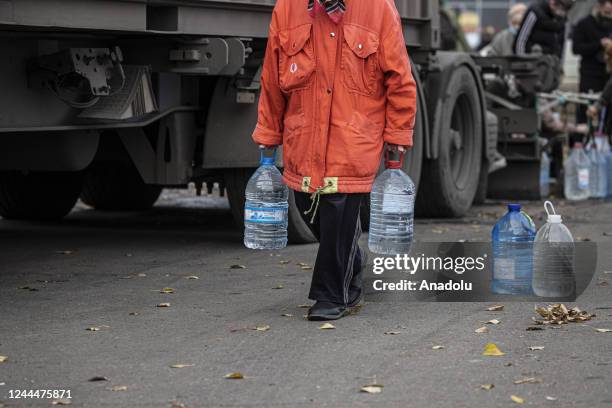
[{"x": 296, "y": 60}]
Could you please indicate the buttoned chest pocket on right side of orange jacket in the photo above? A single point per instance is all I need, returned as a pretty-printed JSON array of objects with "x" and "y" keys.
[{"x": 359, "y": 59}]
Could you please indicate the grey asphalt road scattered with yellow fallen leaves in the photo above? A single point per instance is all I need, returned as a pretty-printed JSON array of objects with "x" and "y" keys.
[{"x": 106, "y": 271}]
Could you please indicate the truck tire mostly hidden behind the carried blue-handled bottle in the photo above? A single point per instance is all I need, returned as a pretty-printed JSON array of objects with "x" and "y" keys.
[{"x": 236, "y": 181}]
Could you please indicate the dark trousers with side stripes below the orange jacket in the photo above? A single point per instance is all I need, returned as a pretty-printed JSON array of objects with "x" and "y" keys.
[{"x": 338, "y": 227}]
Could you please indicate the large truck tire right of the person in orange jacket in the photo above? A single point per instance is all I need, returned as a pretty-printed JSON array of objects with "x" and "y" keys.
[{"x": 450, "y": 182}]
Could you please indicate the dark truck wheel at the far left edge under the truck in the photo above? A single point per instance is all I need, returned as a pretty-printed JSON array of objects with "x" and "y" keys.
[{"x": 38, "y": 195}]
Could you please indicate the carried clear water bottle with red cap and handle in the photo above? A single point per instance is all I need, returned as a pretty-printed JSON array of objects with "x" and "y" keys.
[{"x": 392, "y": 210}]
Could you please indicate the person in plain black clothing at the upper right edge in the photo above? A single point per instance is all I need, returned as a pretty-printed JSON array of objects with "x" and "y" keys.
[{"x": 591, "y": 36}]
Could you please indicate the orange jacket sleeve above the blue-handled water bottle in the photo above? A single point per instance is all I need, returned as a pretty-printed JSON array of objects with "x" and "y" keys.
[{"x": 272, "y": 102}]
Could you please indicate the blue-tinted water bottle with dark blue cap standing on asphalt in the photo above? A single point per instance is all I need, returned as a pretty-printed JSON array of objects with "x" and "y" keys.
[{"x": 513, "y": 237}]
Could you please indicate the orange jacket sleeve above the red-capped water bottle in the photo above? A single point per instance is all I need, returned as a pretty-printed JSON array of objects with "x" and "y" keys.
[{"x": 400, "y": 87}]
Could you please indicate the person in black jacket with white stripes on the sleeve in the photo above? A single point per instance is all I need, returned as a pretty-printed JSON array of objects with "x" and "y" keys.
[{"x": 543, "y": 27}]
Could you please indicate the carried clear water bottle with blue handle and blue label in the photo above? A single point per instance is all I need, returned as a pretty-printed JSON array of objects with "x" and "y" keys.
[{"x": 266, "y": 207}]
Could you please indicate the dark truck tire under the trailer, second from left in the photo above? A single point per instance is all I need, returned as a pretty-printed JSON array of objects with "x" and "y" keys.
[{"x": 117, "y": 186}]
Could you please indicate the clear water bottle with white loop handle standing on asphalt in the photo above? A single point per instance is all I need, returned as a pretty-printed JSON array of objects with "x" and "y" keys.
[{"x": 553, "y": 259}]
